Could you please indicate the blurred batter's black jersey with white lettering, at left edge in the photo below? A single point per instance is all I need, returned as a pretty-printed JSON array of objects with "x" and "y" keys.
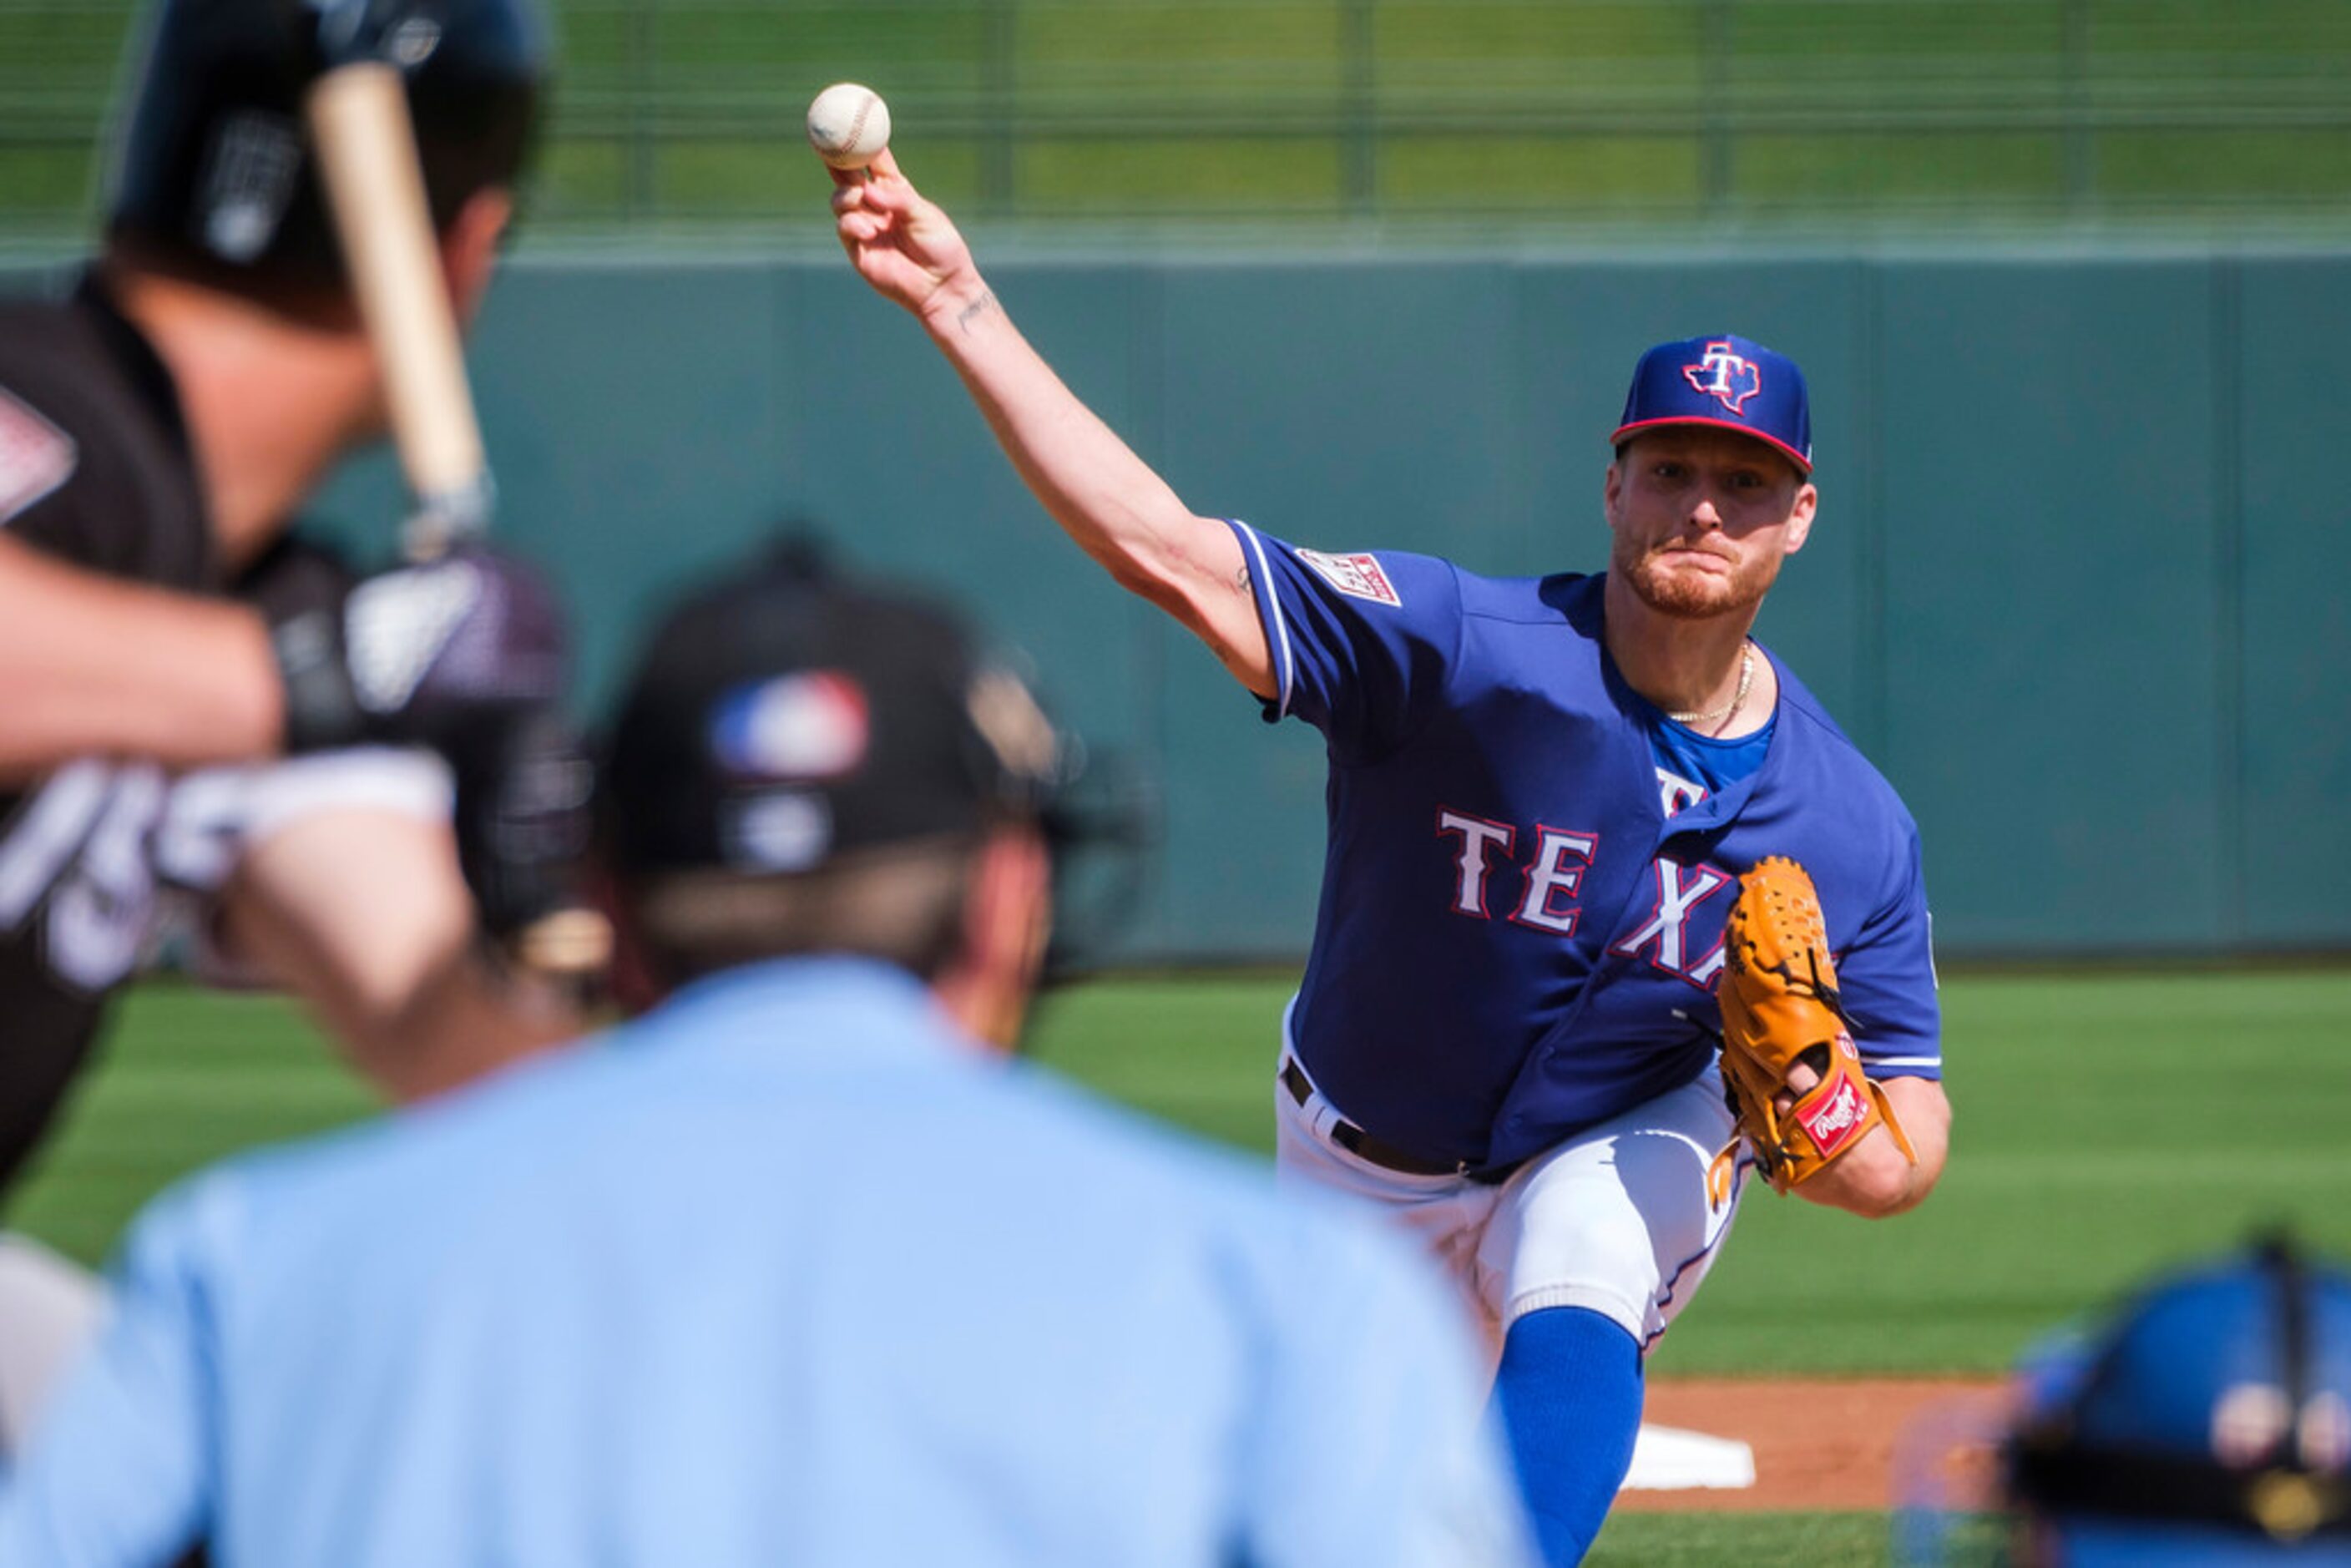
[{"x": 95, "y": 469}]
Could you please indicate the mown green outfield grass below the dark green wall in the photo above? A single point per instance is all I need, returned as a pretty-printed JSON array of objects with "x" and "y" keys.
[{"x": 2105, "y": 1125}]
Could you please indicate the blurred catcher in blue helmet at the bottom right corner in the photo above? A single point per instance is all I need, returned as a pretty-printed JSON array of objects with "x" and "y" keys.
[{"x": 2202, "y": 1426}]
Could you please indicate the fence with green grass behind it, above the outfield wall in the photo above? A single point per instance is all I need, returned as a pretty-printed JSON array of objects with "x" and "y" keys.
[{"x": 1463, "y": 116}]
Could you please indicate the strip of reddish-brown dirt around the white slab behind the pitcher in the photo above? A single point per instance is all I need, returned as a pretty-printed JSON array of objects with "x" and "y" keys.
[{"x": 1818, "y": 1445}]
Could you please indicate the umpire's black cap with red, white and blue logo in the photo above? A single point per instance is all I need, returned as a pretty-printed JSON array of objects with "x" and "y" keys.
[{"x": 789, "y": 718}]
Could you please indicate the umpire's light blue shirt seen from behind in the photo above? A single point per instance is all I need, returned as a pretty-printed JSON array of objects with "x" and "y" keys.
[{"x": 784, "y": 1273}]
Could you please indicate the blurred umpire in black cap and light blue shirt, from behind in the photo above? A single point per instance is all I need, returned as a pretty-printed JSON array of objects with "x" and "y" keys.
[{"x": 796, "y": 1268}]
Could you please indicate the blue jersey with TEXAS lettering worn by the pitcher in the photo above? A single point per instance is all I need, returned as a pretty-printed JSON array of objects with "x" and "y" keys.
[{"x": 1515, "y": 937}]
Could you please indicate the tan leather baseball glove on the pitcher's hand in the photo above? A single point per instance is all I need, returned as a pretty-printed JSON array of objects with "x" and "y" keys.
[{"x": 1781, "y": 1007}]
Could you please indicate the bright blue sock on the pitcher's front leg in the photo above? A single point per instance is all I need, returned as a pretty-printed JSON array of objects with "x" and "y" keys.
[{"x": 1569, "y": 1393}]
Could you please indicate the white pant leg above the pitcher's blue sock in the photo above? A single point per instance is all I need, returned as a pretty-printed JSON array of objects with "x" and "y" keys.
[{"x": 1616, "y": 1219}]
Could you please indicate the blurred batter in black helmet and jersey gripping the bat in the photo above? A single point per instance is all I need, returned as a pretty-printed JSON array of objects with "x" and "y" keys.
[{"x": 159, "y": 431}]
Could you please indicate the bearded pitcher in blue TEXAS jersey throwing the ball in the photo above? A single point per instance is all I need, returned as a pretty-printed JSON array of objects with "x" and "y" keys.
[{"x": 1529, "y": 1024}]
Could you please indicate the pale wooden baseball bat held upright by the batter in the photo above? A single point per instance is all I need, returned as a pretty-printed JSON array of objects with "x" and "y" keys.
[{"x": 377, "y": 192}]
